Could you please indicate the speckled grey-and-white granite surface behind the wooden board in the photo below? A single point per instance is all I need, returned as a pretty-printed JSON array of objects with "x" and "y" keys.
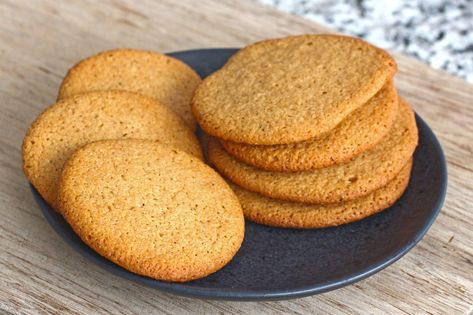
[{"x": 438, "y": 32}]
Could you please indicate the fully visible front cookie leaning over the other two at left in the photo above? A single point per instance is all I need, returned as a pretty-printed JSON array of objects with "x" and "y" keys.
[{"x": 154, "y": 210}]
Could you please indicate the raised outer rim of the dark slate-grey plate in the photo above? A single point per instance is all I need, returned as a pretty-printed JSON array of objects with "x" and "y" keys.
[{"x": 230, "y": 294}]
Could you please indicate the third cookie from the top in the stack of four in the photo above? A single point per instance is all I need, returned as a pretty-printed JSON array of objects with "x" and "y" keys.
[{"x": 363, "y": 174}]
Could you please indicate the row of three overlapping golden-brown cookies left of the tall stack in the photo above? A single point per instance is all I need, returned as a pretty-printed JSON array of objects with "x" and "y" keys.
[{"x": 117, "y": 157}]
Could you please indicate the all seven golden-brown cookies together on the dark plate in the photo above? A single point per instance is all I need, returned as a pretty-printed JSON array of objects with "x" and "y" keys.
[{"x": 308, "y": 132}]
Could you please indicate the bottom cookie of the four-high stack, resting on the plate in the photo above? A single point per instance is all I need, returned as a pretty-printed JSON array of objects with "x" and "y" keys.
[{"x": 287, "y": 214}]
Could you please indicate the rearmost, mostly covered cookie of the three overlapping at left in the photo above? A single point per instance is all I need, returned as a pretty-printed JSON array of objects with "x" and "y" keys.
[{"x": 167, "y": 79}]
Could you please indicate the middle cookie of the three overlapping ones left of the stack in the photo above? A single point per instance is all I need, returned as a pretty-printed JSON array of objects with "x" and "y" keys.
[{"x": 73, "y": 122}]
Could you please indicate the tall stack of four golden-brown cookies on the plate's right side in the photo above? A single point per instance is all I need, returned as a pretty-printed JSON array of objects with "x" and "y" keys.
[{"x": 308, "y": 130}]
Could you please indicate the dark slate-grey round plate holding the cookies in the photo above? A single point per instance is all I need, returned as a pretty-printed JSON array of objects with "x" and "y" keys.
[{"x": 284, "y": 263}]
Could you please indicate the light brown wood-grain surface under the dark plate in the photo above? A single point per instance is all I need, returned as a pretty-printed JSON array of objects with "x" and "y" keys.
[{"x": 40, "y": 40}]
